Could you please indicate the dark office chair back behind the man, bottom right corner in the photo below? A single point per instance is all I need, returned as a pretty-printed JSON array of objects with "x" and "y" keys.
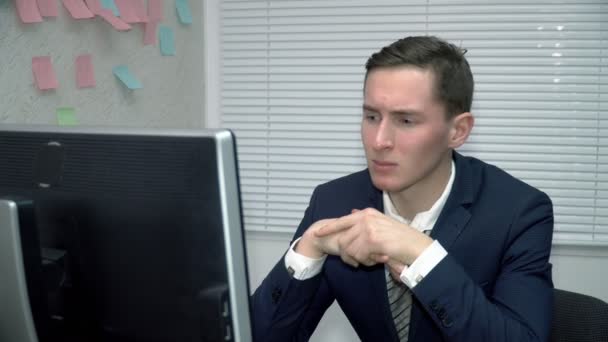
[{"x": 578, "y": 317}]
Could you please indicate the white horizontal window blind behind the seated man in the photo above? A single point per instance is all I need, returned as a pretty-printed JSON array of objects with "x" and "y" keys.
[{"x": 292, "y": 75}]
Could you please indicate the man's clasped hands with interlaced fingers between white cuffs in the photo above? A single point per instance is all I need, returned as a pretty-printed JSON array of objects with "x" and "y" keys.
[{"x": 366, "y": 237}]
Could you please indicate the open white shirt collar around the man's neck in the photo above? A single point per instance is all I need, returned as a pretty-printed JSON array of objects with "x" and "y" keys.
[{"x": 425, "y": 220}]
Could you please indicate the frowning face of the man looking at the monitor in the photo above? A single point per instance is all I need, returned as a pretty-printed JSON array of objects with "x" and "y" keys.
[{"x": 404, "y": 129}]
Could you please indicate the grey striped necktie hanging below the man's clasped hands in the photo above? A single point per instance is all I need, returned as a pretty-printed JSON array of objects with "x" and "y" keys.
[{"x": 400, "y": 301}]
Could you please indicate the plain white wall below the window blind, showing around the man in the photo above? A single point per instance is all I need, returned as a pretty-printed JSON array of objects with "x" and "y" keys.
[{"x": 575, "y": 268}]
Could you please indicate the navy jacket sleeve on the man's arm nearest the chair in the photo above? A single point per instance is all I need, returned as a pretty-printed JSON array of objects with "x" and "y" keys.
[{"x": 519, "y": 306}]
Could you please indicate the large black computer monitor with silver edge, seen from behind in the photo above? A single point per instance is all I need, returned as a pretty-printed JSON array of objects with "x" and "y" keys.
[{"x": 121, "y": 235}]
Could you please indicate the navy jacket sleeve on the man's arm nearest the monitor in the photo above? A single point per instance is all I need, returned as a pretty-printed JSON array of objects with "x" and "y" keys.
[{"x": 287, "y": 309}]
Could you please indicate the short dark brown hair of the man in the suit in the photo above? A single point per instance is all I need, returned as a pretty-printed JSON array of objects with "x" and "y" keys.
[{"x": 453, "y": 80}]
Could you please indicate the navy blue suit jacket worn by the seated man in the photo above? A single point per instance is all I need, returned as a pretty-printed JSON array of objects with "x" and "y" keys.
[{"x": 494, "y": 284}]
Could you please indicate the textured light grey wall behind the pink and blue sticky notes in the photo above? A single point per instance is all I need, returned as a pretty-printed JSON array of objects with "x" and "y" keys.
[{"x": 173, "y": 86}]
